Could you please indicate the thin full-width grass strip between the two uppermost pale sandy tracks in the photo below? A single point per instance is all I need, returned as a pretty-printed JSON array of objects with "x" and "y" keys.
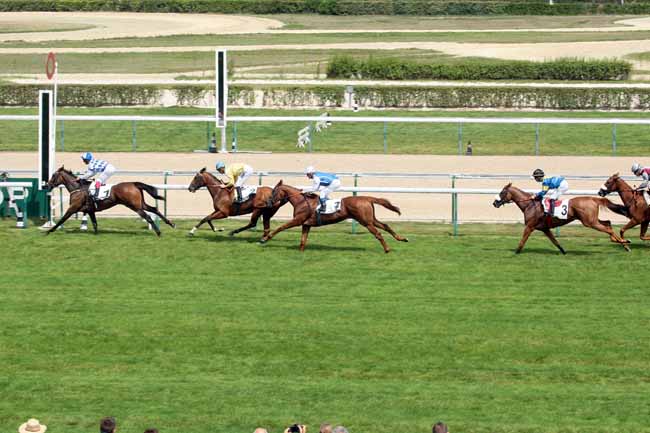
[{"x": 280, "y": 38}]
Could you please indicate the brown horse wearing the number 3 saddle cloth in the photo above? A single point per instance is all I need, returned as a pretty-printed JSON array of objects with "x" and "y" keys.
[{"x": 584, "y": 209}]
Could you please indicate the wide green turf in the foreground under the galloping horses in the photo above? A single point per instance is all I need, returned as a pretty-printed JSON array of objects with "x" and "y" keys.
[{"x": 213, "y": 334}]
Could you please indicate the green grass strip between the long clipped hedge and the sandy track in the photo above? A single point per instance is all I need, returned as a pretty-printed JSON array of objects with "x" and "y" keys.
[{"x": 342, "y": 138}]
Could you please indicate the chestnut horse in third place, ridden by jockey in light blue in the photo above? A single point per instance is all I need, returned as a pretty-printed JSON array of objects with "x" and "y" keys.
[{"x": 304, "y": 213}]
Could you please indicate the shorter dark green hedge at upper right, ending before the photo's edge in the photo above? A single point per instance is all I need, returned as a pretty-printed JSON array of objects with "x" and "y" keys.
[{"x": 396, "y": 69}]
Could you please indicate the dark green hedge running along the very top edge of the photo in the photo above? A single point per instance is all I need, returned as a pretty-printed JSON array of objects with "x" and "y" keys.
[{"x": 338, "y": 7}]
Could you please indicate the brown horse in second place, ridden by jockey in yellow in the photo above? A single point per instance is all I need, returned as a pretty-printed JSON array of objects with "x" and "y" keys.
[{"x": 222, "y": 200}]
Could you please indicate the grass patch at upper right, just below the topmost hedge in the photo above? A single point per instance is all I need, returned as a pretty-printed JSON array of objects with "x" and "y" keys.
[{"x": 395, "y": 22}]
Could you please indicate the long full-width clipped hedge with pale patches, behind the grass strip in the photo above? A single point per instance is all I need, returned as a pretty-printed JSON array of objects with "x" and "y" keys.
[{"x": 333, "y": 96}]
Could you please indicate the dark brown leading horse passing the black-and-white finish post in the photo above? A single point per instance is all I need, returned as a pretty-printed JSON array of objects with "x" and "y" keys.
[{"x": 129, "y": 194}]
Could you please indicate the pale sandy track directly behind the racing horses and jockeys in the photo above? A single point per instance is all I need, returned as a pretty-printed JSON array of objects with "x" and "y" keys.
[{"x": 427, "y": 207}]
